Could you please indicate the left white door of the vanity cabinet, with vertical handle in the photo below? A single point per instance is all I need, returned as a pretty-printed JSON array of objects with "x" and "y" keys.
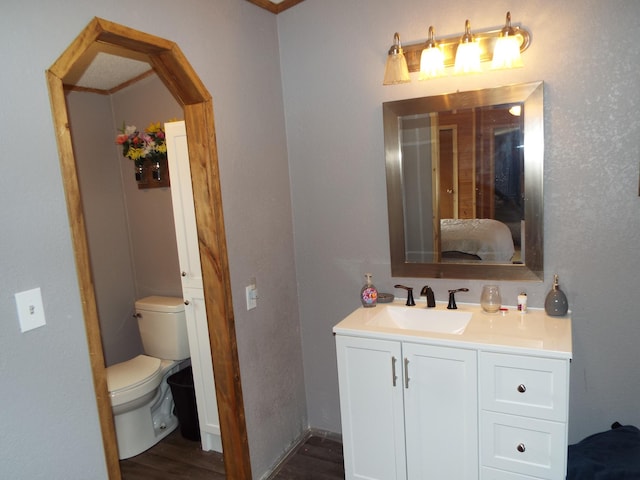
[{"x": 370, "y": 381}]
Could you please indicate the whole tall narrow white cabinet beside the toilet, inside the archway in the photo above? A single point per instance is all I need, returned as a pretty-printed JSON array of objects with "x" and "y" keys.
[{"x": 192, "y": 288}]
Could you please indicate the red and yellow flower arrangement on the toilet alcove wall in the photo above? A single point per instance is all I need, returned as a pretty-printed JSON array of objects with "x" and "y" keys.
[{"x": 140, "y": 146}]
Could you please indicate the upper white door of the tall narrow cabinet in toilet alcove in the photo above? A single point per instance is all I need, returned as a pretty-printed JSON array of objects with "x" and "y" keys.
[{"x": 183, "y": 209}]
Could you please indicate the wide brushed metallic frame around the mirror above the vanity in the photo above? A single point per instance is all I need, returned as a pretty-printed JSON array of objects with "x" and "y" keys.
[{"x": 532, "y": 96}]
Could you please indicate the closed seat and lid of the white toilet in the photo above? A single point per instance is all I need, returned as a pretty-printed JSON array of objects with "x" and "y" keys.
[{"x": 133, "y": 379}]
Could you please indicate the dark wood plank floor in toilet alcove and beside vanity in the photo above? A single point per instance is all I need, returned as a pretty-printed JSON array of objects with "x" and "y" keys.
[{"x": 175, "y": 458}]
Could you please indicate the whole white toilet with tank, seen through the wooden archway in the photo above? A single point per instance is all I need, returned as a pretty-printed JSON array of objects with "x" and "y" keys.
[{"x": 140, "y": 396}]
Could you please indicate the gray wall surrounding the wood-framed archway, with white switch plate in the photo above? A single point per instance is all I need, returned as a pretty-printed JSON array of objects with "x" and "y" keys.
[{"x": 50, "y": 426}]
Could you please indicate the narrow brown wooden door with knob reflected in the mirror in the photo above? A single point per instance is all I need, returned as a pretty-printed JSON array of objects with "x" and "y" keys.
[{"x": 448, "y": 173}]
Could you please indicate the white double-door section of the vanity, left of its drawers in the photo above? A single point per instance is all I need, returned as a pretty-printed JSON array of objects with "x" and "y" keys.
[{"x": 408, "y": 410}]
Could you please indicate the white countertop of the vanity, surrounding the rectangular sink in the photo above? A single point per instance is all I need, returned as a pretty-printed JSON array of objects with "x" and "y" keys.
[{"x": 534, "y": 331}]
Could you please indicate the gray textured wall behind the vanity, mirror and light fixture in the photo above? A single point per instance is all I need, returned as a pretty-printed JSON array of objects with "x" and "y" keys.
[{"x": 332, "y": 81}]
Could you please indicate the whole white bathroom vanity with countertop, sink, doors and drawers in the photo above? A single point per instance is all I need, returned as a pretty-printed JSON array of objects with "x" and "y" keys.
[{"x": 437, "y": 393}]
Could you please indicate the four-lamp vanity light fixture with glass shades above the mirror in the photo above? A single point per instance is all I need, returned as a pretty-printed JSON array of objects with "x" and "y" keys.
[{"x": 488, "y": 44}]
